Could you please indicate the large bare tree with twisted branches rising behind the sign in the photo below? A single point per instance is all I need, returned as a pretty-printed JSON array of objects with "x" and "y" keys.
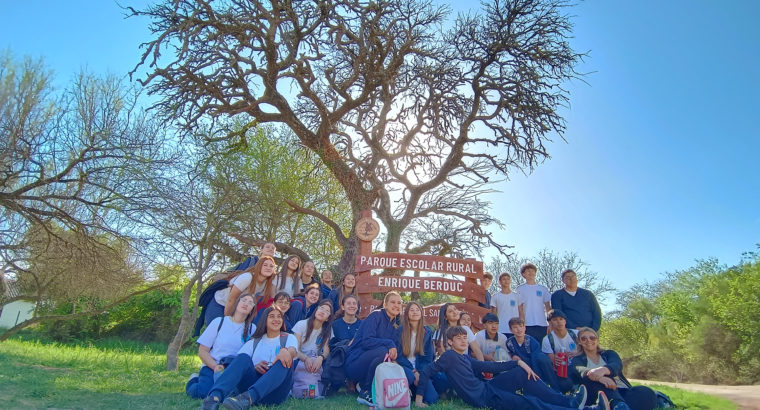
[{"x": 403, "y": 112}]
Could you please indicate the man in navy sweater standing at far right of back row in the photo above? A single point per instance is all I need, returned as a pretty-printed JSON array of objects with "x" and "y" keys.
[{"x": 580, "y": 305}]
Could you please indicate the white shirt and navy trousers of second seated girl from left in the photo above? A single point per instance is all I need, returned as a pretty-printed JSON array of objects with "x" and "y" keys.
[{"x": 270, "y": 388}]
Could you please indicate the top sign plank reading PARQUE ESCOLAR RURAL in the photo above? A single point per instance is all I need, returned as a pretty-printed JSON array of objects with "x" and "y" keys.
[{"x": 427, "y": 263}]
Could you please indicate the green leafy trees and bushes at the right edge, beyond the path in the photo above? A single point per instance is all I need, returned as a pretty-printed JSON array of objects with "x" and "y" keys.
[{"x": 698, "y": 325}]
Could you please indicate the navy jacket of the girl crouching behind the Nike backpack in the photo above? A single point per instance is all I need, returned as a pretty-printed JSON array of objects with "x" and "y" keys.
[{"x": 377, "y": 330}]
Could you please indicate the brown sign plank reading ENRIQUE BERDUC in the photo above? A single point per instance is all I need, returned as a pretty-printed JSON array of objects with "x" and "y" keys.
[{"x": 384, "y": 283}]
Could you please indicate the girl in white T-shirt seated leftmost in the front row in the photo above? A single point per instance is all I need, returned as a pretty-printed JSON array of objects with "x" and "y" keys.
[{"x": 220, "y": 342}]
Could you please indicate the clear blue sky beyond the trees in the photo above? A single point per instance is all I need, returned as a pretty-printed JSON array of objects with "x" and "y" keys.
[{"x": 660, "y": 166}]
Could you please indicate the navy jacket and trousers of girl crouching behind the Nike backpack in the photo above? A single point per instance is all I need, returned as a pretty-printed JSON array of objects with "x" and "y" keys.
[{"x": 376, "y": 335}]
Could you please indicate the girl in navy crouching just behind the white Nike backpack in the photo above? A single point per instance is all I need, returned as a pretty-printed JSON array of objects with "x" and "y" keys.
[{"x": 378, "y": 335}]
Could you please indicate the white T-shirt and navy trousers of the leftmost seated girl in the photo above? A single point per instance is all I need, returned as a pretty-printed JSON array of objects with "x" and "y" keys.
[{"x": 223, "y": 341}]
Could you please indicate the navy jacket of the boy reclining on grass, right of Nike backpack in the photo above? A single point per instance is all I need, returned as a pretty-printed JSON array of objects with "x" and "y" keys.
[{"x": 461, "y": 370}]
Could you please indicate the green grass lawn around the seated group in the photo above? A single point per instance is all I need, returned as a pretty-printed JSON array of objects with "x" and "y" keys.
[{"x": 126, "y": 375}]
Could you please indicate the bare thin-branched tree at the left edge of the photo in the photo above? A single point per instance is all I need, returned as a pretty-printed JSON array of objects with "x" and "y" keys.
[{"x": 74, "y": 167}]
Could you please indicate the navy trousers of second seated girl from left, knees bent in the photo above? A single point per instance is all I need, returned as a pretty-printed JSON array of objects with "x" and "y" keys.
[{"x": 270, "y": 388}]
